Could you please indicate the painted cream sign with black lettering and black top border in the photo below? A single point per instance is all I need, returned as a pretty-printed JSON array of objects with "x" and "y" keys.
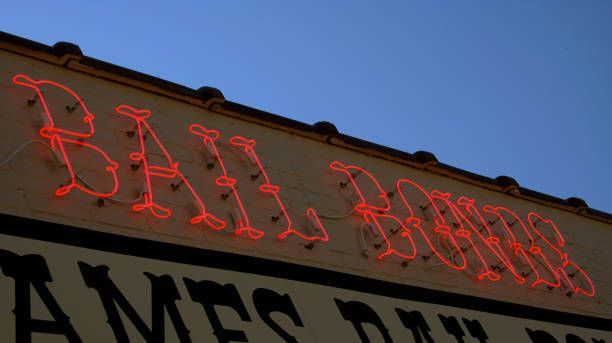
[{"x": 67, "y": 284}]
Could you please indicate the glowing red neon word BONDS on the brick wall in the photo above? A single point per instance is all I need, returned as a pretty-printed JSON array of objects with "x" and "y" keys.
[{"x": 457, "y": 233}]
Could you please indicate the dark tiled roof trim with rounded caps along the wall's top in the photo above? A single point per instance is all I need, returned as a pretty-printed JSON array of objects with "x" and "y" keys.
[{"x": 210, "y": 95}]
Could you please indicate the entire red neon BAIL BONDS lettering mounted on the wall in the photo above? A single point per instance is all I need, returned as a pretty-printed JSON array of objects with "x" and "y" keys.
[{"x": 484, "y": 241}]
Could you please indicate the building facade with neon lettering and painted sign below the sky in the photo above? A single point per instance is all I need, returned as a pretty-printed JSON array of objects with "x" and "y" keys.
[{"x": 135, "y": 209}]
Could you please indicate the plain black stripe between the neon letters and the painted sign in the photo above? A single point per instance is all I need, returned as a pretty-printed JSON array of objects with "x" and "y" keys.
[{"x": 78, "y": 237}]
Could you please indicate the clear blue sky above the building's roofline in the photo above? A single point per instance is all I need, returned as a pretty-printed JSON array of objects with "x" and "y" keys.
[{"x": 518, "y": 88}]
